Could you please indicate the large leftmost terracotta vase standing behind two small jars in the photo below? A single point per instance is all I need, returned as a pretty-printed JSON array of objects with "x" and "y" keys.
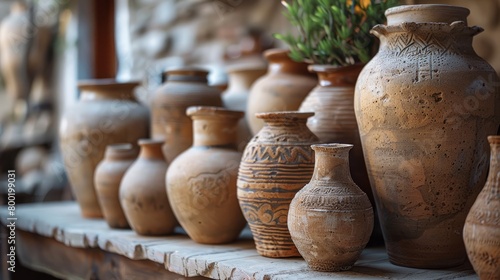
[{"x": 107, "y": 113}]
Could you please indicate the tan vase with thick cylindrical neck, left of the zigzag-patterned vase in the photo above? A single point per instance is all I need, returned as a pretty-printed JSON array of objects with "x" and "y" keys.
[{"x": 201, "y": 182}]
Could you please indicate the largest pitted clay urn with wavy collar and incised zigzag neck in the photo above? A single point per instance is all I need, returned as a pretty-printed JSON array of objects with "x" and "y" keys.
[{"x": 424, "y": 106}]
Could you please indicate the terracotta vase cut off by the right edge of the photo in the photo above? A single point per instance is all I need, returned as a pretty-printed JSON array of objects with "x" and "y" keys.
[{"x": 482, "y": 226}]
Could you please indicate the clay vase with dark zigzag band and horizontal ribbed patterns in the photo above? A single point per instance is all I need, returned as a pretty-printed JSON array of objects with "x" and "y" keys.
[{"x": 276, "y": 164}]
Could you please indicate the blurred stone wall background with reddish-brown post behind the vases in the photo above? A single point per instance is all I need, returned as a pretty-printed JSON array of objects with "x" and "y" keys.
[{"x": 47, "y": 46}]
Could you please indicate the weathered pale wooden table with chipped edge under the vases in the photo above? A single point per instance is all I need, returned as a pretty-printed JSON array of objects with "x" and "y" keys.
[{"x": 55, "y": 239}]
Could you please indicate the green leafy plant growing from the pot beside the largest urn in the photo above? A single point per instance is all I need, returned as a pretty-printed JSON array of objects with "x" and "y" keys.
[{"x": 335, "y": 32}]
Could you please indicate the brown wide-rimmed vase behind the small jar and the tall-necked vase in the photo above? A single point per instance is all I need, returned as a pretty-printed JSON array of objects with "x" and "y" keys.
[{"x": 183, "y": 88}]
